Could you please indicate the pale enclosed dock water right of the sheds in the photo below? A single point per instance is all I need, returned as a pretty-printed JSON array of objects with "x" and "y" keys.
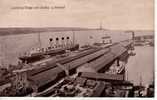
[{"x": 140, "y": 68}]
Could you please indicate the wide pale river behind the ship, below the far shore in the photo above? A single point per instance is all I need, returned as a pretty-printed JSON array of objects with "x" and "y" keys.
[{"x": 12, "y": 46}]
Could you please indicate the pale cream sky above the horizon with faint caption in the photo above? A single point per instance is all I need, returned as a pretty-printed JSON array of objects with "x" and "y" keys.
[{"x": 112, "y": 14}]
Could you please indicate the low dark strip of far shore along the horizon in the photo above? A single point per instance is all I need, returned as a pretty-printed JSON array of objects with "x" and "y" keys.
[{"x": 29, "y": 30}]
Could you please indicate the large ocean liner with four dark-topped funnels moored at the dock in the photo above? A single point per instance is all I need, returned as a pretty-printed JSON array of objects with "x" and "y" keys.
[{"x": 40, "y": 53}]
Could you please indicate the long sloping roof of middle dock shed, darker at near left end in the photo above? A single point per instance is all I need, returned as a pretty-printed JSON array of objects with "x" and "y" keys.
[{"x": 47, "y": 76}]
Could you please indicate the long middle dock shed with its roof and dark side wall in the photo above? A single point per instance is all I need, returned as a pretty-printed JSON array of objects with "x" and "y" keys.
[{"x": 42, "y": 79}]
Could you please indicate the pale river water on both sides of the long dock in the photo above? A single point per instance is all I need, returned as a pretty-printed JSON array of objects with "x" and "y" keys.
[{"x": 140, "y": 65}]
